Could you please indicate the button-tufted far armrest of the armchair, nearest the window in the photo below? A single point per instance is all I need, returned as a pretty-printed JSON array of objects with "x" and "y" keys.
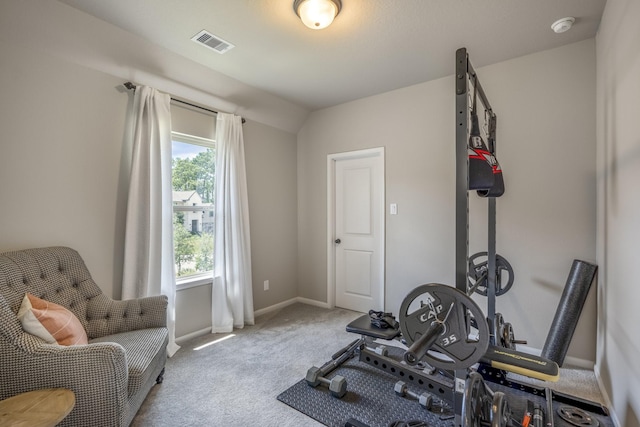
[{"x": 106, "y": 316}]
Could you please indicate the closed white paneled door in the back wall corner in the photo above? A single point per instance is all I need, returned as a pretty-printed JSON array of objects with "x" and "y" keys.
[{"x": 358, "y": 229}]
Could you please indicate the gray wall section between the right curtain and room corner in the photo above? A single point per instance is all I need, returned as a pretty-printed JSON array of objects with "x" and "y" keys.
[{"x": 271, "y": 175}]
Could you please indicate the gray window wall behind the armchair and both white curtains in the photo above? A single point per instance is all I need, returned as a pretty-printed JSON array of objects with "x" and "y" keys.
[{"x": 64, "y": 171}]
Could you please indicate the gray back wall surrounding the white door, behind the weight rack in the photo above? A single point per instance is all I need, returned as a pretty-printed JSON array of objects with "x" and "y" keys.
[{"x": 546, "y": 128}]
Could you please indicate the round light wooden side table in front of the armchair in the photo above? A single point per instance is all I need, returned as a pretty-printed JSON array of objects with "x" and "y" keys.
[{"x": 39, "y": 408}]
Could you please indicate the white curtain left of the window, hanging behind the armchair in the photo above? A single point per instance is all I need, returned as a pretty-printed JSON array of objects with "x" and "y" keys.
[{"x": 148, "y": 252}]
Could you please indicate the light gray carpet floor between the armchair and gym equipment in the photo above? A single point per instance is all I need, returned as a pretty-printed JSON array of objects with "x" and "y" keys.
[{"x": 235, "y": 379}]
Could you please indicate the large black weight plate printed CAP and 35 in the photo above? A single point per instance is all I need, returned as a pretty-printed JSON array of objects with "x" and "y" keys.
[{"x": 466, "y": 334}]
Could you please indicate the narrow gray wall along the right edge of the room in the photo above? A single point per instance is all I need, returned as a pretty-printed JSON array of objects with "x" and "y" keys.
[{"x": 618, "y": 67}]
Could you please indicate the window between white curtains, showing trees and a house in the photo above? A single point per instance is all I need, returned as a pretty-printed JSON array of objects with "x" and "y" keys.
[{"x": 193, "y": 176}]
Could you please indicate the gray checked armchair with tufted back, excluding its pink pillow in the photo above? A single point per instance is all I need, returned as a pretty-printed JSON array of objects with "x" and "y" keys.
[{"x": 110, "y": 376}]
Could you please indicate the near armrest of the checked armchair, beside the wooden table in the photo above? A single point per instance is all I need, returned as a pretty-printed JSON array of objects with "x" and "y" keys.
[{"x": 96, "y": 373}]
